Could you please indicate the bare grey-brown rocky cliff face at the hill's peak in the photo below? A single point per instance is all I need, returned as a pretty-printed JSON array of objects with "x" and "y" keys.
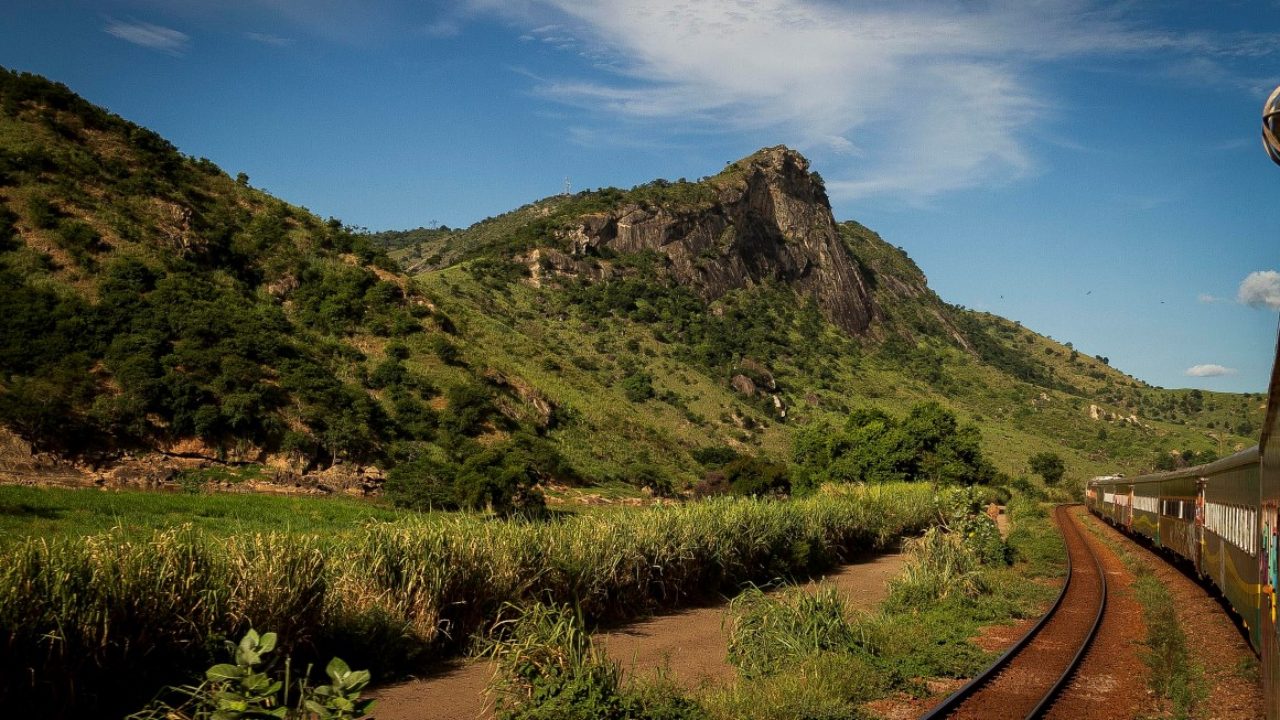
[{"x": 770, "y": 220}]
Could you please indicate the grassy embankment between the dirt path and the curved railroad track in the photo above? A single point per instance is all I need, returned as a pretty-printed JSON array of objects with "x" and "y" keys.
[{"x": 803, "y": 655}]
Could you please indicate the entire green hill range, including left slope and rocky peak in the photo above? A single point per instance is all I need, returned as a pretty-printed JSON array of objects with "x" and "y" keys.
[{"x": 161, "y": 315}]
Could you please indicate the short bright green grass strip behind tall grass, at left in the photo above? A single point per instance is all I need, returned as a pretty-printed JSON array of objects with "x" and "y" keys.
[{"x": 58, "y": 513}]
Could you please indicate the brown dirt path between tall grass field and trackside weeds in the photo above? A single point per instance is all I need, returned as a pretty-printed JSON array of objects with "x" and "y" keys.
[{"x": 688, "y": 644}]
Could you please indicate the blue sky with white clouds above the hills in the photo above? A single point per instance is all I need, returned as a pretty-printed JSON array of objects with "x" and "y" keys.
[{"x": 1090, "y": 170}]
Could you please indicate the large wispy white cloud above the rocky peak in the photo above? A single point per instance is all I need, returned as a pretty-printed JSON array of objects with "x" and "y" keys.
[{"x": 908, "y": 98}]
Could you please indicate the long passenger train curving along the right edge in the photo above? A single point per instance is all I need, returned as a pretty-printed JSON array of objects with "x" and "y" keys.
[{"x": 1222, "y": 520}]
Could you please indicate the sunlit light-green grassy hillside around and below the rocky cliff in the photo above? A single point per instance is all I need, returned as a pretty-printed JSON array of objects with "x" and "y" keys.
[{"x": 587, "y": 343}]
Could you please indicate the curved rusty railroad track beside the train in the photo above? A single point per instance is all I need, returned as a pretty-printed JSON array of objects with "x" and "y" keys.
[{"x": 1026, "y": 681}]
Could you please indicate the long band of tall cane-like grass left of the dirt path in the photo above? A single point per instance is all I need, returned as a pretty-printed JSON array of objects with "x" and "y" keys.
[{"x": 92, "y": 626}]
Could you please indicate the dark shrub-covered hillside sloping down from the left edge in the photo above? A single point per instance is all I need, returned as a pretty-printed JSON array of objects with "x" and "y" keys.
[{"x": 153, "y": 303}]
